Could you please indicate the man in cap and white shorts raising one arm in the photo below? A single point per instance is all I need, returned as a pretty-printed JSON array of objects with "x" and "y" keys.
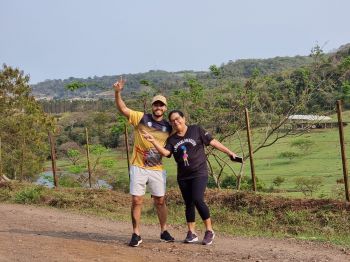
[{"x": 146, "y": 163}]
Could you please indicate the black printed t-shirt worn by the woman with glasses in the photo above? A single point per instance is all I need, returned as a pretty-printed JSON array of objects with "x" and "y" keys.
[{"x": 188, "y": 151}]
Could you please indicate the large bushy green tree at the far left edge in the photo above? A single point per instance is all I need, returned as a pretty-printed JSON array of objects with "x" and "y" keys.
[{"x": 23, "y": 126}]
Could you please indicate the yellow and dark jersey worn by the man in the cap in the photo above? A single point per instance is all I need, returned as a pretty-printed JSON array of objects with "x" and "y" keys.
[{"x": 144, "y": 154}]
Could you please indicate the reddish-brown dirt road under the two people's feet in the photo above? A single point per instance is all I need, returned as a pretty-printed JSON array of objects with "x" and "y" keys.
[{"x": 29, "y": 233}]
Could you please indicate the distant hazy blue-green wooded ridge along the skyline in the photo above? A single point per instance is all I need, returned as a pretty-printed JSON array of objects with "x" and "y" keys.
[{"x": 100, "y": 87}]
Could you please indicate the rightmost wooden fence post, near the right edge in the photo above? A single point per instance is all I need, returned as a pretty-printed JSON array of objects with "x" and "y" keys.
[{"x": 342, "y": 147}]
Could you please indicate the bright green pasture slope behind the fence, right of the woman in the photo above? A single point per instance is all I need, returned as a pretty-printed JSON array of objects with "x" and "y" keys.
[{"x": 322, "y": 160}]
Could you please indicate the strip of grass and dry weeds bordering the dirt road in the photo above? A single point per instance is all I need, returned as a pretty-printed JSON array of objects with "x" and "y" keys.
[{"x": 233, "y": 213}]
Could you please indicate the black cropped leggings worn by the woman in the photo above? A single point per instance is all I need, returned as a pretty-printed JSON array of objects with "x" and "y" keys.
[{"x": 192, "y": 191}]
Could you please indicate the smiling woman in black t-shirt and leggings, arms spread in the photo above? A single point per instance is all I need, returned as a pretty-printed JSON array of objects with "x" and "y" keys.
[{"x": 187, "y": 146}]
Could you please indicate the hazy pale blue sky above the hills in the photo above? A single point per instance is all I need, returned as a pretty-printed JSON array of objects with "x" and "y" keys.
[{"x": 58, "y": 39}]
